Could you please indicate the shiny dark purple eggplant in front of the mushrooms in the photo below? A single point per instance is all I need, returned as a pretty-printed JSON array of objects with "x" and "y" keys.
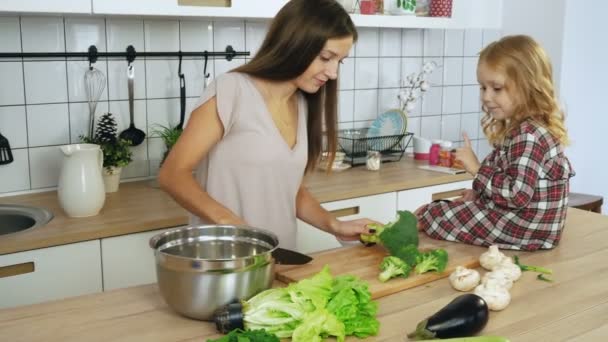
[{"x": 464, "y": 316}]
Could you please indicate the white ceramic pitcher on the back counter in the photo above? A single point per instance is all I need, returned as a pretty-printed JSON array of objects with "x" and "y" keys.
[{"x": 81, "y": 190}]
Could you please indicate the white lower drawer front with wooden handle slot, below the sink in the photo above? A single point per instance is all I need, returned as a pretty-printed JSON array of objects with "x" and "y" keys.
[{"x": 50, "y": 273}]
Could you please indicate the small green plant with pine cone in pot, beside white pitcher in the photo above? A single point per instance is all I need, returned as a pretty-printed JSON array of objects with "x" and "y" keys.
[{"x": 116, "y": 151}]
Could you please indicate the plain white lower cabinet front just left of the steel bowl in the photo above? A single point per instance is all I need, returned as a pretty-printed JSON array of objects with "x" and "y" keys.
[{"x": 128, "y": 260}]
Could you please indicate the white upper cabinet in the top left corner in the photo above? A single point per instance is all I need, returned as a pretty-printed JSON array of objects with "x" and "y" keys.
[{"x": 46, "y": 7}]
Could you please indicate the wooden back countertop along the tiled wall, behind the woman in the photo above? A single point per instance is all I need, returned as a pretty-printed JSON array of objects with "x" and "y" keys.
[{"x": 141, "y": 206}]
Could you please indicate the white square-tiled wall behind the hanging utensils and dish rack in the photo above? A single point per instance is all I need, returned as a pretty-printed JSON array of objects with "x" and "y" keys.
[{"x": 43, "y": 103}]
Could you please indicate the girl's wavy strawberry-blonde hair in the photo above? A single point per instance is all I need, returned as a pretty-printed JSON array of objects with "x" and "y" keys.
[{"x": 529, "y": 79}]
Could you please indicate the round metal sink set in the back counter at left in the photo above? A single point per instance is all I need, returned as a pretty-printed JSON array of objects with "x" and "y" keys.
[{"x": 16, "y": 218}]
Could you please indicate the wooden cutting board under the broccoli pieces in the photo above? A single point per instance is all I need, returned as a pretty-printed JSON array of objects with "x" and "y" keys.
[{"x": 364, "y": 262}]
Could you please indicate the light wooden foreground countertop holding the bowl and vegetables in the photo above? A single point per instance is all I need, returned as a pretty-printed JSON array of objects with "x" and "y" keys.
[{"x": 572, "y": 308}]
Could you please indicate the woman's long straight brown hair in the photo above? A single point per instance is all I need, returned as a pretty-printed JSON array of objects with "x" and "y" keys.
[{"x": 295, "y": 38}]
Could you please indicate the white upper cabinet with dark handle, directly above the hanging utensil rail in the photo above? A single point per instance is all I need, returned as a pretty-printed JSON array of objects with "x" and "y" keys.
[{"x": 239, "y": 8}]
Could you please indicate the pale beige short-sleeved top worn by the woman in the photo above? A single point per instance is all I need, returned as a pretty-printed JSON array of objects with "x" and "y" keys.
[{"x": 251, "y": 170}]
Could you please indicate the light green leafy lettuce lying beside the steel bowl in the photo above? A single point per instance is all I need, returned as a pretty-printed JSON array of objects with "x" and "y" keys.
[{"x": 314, "y": 308}]
